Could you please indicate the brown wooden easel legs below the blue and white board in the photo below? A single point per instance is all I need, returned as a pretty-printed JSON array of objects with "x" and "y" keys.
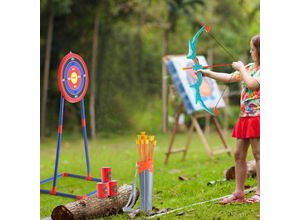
[{"x": 195, "y": 125}]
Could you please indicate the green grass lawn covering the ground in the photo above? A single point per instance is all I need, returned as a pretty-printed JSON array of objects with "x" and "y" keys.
[{"x": 120, "y": 153}]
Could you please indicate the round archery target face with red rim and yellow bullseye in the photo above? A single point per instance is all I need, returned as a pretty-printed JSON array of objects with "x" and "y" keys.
[{"x": 72, "y": 77}]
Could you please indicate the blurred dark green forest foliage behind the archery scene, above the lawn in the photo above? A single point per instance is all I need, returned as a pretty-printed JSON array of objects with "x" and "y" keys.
[{"x": 131, "y": 39}]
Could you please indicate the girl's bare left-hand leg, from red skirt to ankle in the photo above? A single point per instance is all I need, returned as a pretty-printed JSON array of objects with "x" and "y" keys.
[{"x": 240, "y": 154}]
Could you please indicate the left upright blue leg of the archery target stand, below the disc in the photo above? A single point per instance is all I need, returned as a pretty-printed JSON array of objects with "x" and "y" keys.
[{"x": 61, "y": 112}]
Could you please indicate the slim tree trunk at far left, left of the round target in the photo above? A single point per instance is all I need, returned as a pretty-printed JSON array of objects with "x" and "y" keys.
[{"x": 46, "y": 75}]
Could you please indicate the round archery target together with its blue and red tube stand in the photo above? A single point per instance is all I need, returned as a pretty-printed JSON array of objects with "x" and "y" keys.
[{"x": 73, "y": 84}]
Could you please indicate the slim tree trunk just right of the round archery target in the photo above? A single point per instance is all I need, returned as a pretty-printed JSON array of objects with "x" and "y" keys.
[{"x": 93, "y": 72}]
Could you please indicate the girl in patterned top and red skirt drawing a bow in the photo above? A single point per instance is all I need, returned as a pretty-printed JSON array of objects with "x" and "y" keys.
[{"x": 247, "y": 128}]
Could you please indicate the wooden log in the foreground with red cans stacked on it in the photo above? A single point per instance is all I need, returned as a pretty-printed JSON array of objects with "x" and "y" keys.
[{"x": 93, "y": 207}]
